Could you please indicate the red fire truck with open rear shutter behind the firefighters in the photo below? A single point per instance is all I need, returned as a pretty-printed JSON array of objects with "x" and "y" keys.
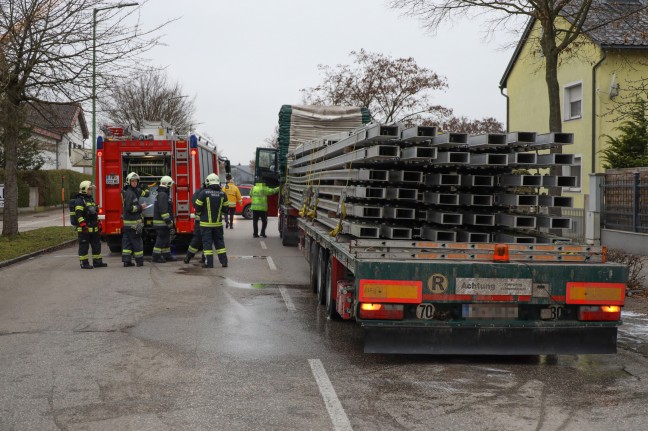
[{"x": 153, "y": 152}]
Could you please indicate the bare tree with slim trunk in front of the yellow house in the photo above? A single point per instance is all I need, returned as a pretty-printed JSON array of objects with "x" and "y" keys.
[{"x": 554, "y": 38}]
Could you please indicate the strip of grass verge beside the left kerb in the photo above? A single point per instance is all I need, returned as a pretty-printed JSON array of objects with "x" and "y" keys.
[{"x": 34, "y": 240}]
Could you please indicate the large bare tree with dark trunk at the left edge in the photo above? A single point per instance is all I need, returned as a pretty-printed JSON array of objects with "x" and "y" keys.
[{"x": 46, "y": 55}]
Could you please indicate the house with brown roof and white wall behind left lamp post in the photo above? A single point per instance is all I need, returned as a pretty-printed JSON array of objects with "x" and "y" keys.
[{"x": 61, "y": 131}]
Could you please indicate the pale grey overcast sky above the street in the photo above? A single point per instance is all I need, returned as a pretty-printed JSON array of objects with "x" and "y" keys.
[{"x": 243, "y": 59}]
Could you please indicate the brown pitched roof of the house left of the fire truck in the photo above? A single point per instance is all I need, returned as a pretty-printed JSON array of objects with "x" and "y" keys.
[{"x": 56, "y": 119}]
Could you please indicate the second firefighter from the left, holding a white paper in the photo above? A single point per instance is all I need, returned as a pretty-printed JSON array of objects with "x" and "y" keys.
[{"x": 132, "y": 244}]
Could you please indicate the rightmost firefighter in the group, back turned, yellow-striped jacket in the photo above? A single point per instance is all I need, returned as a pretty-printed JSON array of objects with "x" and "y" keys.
[{"x": 209, "y": 207}]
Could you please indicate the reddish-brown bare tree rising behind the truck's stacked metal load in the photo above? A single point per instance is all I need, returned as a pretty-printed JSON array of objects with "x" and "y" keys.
[{"x": 392, "y": 89}]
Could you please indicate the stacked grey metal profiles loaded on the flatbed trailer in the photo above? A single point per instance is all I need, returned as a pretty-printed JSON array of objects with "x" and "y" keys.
[{"x": 382, "y": 181}]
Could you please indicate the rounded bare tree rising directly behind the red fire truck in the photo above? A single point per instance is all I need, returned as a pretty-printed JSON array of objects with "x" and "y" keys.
[{"x": 149, "y": 96}]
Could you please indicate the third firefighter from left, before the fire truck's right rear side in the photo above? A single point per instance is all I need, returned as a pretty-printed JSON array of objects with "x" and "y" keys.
[{"x": 163, "y": 222}]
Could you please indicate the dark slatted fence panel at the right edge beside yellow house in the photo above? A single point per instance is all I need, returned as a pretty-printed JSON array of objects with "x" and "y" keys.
[{"x": 625, "y": 200}]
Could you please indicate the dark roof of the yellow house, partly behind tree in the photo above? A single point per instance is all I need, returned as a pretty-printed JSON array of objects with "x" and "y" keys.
[{"x": 606, "y": 26}]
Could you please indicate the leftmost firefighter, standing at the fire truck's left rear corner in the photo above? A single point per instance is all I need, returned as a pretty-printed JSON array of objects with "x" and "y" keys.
[{"x": 87, "y": 218}]
